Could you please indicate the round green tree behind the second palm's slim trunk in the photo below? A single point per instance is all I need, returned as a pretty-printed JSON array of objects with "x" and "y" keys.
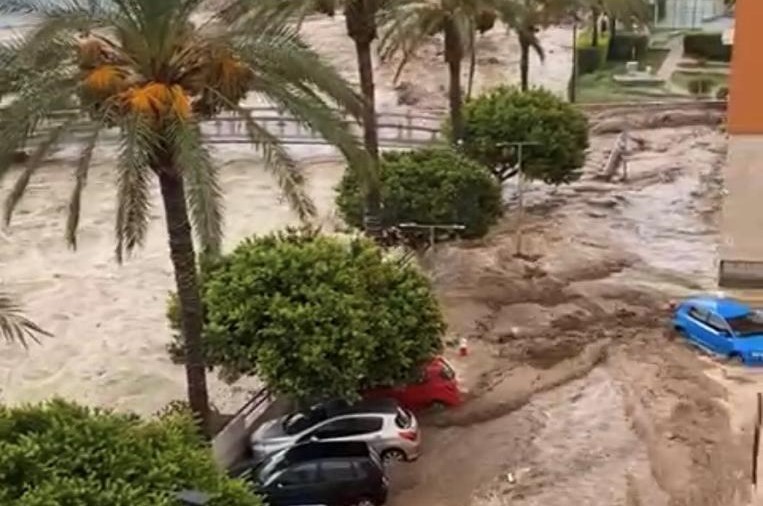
[{"x": 428, "y": 186}]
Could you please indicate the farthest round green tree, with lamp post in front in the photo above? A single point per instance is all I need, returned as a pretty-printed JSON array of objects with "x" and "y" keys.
[{"x": 505, "y": 115}]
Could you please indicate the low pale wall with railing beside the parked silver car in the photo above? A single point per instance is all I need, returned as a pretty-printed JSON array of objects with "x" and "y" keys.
[{"x": 230, "y": 444}]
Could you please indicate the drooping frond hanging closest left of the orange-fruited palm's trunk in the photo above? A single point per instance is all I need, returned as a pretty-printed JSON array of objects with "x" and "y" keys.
[{"x": 133, "y": 183}]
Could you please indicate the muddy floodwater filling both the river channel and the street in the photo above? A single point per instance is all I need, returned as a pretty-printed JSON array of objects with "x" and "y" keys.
[{"x": 577, "y": 397}]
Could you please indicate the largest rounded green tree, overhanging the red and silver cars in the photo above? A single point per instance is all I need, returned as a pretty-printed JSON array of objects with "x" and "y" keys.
[{"x": 317, "y": 316}]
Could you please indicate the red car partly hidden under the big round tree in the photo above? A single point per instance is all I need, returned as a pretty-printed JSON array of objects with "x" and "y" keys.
[{"x": 436, "y": 387}]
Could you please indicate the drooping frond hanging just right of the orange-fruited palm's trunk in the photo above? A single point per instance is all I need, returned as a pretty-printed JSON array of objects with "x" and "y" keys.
[{"x": 201, "y": 178}]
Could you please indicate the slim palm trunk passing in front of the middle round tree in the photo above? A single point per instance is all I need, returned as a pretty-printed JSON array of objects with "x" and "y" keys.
[{"x": 360, "y": 17}]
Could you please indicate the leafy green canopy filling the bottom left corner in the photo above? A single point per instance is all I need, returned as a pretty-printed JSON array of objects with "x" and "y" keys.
[{"x": 62, "y": 454}]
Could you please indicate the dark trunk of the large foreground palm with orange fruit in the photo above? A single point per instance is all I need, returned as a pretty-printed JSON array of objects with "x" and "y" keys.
[{"x": 191, "y": 316}]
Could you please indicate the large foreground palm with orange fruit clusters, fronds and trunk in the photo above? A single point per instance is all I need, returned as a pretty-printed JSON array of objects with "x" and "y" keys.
[{"x": 145, "y": 75}]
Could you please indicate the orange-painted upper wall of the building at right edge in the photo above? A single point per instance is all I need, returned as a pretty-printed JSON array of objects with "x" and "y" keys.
[{"x": 746, "y": 88}]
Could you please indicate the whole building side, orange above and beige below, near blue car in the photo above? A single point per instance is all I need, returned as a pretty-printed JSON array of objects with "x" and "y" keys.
[{"x": 741, "y": 248}]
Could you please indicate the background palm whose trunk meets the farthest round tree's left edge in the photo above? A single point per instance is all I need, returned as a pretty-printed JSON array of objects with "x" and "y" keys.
[{"x": 407, "y": 27}]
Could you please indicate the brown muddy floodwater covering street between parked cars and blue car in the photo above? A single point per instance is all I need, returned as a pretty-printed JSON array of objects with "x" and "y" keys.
[{"x": 580, "y": 396}]
